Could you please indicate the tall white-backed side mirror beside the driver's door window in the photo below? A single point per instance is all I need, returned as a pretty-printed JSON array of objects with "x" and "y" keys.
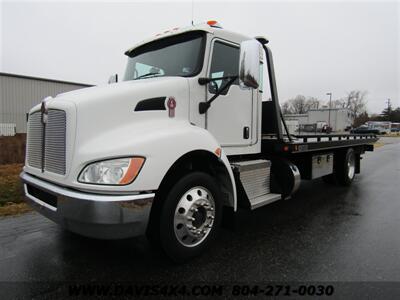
[{"x": 249, "y": 64}]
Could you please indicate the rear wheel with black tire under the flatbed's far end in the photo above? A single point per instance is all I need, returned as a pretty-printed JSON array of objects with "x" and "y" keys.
[{"x": 345, "y": 168}]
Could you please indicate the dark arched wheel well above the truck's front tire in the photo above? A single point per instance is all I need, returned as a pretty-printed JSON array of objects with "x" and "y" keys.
[{"x": 198, "y": 160}]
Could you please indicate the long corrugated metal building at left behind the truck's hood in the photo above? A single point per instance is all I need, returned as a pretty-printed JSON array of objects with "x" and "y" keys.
[{"x": 18, "y": 94}]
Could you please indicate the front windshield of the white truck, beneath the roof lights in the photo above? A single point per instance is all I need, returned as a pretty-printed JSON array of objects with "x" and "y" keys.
[{"x": 180, "y": 55}]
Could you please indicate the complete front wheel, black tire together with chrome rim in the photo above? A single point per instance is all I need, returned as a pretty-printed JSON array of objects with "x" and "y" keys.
[{"x": 190, "y": 216}]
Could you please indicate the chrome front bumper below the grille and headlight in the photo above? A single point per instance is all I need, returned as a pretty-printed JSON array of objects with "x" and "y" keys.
[{"x": 88, "y": 214}]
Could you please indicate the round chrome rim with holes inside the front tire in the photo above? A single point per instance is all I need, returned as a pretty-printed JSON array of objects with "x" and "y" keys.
[{"x": 194, "y": 216}]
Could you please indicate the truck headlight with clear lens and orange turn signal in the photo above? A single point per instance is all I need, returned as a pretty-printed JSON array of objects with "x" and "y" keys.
[{"x": 119, "y": 171}]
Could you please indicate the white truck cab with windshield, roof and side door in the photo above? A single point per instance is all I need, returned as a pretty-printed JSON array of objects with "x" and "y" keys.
[{"x": 205, "y": 52}]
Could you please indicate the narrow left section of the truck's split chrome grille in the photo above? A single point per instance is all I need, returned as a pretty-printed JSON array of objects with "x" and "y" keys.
[{"x": 35, "y": 140}]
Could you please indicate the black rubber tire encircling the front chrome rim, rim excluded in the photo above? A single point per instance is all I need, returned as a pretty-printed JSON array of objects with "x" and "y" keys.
[{"x": 169, "y": 242}]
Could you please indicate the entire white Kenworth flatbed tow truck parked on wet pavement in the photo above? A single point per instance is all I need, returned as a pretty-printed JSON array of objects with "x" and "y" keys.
[{"x": 182, "y": 142}]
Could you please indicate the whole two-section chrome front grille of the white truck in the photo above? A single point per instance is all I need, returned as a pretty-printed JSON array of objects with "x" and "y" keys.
[{"x": 54, "y": 152}]
